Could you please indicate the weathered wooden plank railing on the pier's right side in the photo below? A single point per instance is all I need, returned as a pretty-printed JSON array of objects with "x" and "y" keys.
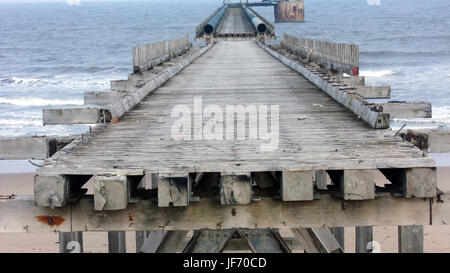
[{"x": 335, "y": 56}]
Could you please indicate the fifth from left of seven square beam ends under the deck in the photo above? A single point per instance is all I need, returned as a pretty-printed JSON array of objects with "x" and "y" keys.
[{"x": 297, "y": 186}]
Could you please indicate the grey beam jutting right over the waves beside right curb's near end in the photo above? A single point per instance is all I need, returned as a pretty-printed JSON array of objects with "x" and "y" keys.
[{"x": 406, "y": 109}]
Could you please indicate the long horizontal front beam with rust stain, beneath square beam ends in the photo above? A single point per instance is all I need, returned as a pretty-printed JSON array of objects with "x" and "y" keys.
[{"x": 22, "y": 215}]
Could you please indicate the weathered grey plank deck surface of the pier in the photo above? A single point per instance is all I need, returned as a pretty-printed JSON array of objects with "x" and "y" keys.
[{"x": 315, "y": 132}]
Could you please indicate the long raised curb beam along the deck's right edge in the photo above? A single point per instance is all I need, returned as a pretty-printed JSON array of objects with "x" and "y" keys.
[{"x": 377, "y": 120}]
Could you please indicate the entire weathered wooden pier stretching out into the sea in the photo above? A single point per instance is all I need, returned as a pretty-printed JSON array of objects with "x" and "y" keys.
[{"x": 311, "y": 171}]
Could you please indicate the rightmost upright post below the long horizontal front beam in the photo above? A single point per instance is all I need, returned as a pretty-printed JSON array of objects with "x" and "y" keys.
[{"x": 410, "y": 239}]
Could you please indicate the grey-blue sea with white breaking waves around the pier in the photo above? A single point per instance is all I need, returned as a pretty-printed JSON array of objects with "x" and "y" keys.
[{"x": 51, "y": 53}]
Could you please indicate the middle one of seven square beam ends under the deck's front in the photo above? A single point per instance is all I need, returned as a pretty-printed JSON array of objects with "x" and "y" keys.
[{"x": 235, "y": 188}]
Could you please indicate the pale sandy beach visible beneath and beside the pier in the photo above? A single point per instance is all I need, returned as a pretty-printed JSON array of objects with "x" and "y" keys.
[{"x": 436, "y": 238}]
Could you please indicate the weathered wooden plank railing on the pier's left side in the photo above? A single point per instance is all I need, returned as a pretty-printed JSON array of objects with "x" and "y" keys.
[{"x": 148, "y": 55}]
